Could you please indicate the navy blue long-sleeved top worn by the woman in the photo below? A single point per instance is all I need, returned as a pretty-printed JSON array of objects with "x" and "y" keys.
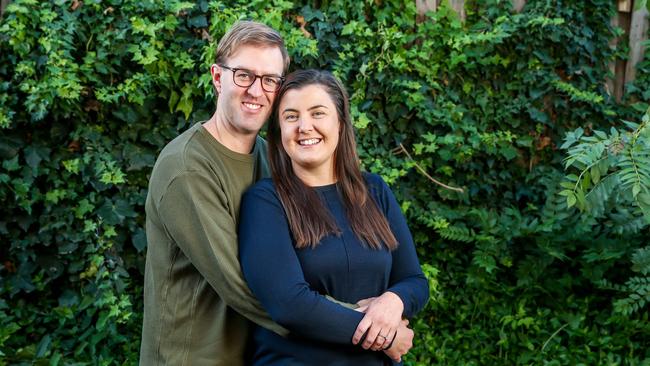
[{"x": 291, "y": 283}]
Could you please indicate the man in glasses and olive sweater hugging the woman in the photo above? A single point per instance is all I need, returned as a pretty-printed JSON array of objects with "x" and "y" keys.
[{"x": 195, "y": 299}]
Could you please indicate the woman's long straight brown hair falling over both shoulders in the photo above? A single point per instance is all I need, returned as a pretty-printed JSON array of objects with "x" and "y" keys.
[{"x": 309, "y": 221}]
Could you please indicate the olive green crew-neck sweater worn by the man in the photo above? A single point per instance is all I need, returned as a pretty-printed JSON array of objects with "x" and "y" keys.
[{"x": 195, "y": 299}]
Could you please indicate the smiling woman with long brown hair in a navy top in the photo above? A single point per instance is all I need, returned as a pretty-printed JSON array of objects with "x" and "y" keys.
[{"x": 322, "y": 228}]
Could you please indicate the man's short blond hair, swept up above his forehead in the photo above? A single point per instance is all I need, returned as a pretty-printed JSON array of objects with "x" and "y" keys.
[{"x": 248, "y": 33}]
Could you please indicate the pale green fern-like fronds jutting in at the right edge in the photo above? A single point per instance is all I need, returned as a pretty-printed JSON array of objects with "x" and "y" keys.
[{"x": 610, "y": 170}]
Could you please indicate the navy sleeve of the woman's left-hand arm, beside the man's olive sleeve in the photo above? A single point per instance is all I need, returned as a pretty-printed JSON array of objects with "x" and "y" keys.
[{"x": 273, "y": 272}]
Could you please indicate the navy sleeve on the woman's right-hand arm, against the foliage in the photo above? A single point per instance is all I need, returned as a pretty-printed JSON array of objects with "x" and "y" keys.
[{"x": 406, "y": 277}]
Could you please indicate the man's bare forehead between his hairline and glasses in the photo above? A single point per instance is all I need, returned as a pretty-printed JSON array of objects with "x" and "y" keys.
[{"x": 261, "y": 59}]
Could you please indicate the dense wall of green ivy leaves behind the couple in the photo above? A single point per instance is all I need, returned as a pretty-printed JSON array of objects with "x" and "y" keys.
[{"x": 90, "y": 92}]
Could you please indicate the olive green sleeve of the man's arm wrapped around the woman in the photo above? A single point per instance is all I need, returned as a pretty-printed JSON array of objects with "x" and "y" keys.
[{"x": 196, "y": 216}]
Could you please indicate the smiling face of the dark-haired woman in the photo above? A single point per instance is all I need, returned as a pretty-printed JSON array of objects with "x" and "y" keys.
[{"x": 309, "y": 126}]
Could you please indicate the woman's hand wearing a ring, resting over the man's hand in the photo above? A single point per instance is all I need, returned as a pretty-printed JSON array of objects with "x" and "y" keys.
[{"x": 383, "y": 317}]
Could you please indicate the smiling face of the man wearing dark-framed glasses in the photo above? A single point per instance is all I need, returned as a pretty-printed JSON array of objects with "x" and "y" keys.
[{"x": 243, "y": 110}]
